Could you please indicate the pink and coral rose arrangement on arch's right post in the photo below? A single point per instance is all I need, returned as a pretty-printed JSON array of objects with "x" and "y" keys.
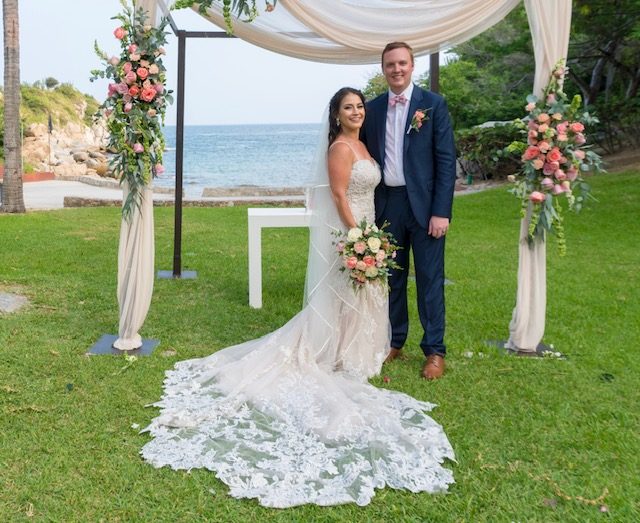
[{"x": 555, "y": 154}]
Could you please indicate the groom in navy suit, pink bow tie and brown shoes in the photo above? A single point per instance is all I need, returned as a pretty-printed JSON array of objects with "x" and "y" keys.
[{"x": 418, "y": 160}]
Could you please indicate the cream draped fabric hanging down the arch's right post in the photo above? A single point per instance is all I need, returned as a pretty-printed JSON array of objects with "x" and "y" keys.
[{"x": 550, "y": 22}]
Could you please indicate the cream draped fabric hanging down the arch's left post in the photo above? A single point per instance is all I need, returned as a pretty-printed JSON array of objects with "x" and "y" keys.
[{"x": 136, "y": 256}]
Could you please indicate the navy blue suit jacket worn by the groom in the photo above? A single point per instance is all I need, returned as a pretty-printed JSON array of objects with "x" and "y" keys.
[{"x": 429, "y": 154}]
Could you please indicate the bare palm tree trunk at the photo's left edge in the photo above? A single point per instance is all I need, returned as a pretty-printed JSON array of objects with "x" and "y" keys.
[{"x": 12, "y": 197}]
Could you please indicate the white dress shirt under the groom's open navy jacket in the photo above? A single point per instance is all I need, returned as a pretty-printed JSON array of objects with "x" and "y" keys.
[{"x": 394, "y": 140}]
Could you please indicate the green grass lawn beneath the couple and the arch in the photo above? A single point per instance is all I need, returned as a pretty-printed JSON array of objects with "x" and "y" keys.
[{"x": 535, "y": 439}]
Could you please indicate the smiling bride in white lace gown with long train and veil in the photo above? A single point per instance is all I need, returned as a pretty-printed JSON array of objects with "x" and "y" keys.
[{"x": 290, "y": 418}]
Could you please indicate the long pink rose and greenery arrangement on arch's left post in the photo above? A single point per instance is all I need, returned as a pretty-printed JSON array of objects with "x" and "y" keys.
[{"x": 136, "y": 100}]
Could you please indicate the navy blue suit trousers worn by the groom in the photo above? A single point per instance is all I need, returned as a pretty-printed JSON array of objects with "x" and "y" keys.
[{"x": 428, "y": 260}]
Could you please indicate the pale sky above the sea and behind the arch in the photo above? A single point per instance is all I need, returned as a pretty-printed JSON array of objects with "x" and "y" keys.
[{"x": 228, "y": 81}]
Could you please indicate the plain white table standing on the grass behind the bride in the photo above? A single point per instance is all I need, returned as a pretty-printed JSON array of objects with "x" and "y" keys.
[{"x": 267, "y": 217}]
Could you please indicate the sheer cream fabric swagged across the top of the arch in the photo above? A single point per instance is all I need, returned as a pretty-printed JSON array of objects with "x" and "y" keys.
[{"x": 356, "y": 31}]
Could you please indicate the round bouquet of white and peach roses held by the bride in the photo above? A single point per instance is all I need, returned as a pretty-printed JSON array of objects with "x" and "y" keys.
[{"x": 367, "y": 253}]
